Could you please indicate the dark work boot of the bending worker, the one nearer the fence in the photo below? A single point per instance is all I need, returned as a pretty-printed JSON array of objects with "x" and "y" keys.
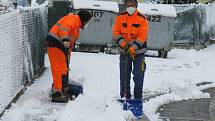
[{"x": 59, "y": 97}]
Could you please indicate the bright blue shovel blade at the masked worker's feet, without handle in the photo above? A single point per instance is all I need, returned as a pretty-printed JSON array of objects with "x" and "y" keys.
[{"x": 134, "y": 105}]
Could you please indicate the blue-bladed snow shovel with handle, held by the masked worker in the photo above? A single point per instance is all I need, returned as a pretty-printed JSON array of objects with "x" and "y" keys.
[{"x": 133, "y": 105}]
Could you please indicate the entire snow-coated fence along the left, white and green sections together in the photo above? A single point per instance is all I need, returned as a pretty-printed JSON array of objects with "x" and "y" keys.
[{"x": 22, "y": 35}]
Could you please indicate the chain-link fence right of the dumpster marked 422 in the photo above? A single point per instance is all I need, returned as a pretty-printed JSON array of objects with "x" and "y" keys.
[{"x": 193, "y": 24}]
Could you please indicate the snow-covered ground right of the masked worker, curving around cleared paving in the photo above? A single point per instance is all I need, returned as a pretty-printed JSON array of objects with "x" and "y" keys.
[{"x": 179, "y": 74}]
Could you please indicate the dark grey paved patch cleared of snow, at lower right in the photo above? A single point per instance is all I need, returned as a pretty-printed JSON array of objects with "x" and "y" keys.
[{"x": 190, "y": 110}]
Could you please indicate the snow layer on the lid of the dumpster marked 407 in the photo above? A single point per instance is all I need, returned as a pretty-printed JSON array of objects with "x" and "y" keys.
[{"x": 96, "y": 5}]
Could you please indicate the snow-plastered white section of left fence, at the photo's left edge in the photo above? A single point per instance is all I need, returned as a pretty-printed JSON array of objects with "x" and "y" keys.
[{"x": 10, "y": 57}]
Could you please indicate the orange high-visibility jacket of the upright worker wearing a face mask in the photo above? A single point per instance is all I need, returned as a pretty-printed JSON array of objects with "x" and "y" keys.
[{"x": 131, "y": 30}]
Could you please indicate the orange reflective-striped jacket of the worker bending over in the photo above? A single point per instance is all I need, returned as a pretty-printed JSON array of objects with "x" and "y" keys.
[{"x": 66, "y": 28}]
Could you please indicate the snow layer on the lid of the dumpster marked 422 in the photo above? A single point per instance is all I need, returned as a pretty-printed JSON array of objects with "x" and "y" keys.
[{"x": 157, "y": 9}]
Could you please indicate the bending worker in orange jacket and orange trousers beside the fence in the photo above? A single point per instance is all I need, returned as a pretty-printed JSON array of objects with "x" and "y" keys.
[{"x": 60, "y": 41}]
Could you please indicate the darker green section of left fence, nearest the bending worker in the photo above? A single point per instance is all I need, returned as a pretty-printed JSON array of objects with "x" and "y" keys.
[{"x": 34, "y": 33}]
